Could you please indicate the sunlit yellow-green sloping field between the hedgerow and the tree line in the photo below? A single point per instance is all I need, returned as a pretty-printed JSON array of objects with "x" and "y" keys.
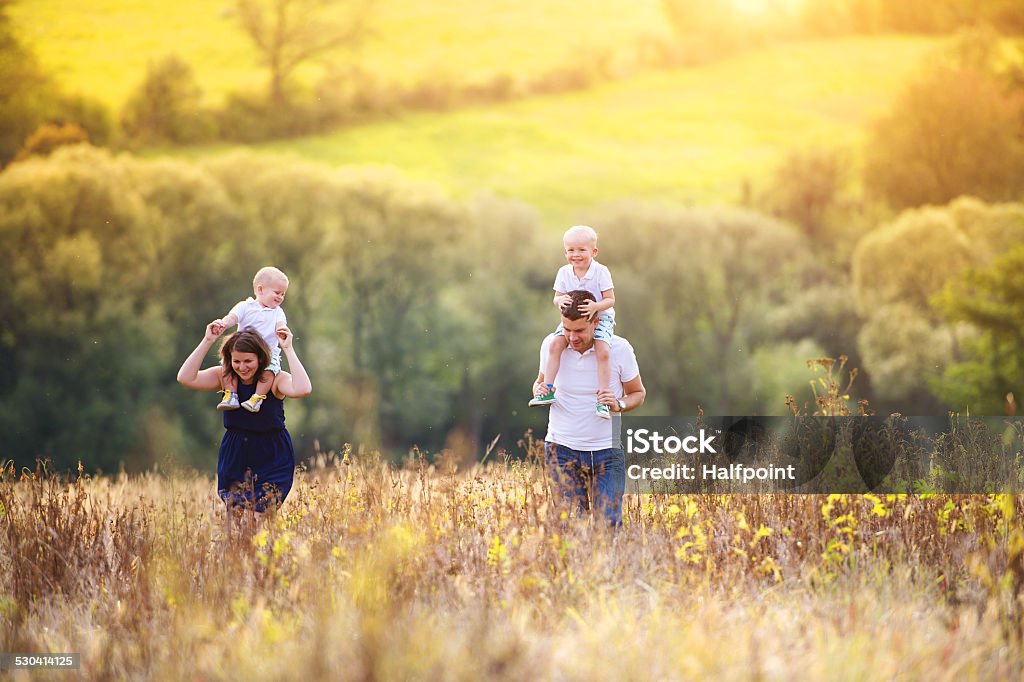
[{"x": 691, "y": 136}]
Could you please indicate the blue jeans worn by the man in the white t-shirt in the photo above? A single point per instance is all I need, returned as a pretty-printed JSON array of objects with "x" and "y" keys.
[{"x": 594, "y": 479}]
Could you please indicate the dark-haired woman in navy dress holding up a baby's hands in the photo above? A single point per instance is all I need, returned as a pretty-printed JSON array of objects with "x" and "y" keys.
[{"x": 257, "y": 463}]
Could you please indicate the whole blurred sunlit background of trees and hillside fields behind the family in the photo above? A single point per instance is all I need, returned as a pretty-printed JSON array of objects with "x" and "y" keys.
[{"x": 773, "y": 182}]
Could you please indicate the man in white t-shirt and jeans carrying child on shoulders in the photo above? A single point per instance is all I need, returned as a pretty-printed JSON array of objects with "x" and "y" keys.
[{"x": 581, "y": 448}]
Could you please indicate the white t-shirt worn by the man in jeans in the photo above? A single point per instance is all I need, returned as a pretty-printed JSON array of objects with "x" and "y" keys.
[{"x": 572, "y": 420}]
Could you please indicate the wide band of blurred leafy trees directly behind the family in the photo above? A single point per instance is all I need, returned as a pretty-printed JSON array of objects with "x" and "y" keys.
[{"x": 421, "y": 317}]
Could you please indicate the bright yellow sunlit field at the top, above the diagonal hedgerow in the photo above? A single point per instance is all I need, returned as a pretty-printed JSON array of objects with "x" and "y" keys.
[{"x": 102, "y": 48}]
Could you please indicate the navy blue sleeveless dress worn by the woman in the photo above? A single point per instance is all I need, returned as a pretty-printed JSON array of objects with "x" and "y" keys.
[{"x": 257, "y": 463}]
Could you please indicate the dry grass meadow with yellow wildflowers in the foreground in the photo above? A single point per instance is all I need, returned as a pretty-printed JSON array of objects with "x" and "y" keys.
[{"x": 371, "y": 572}]
